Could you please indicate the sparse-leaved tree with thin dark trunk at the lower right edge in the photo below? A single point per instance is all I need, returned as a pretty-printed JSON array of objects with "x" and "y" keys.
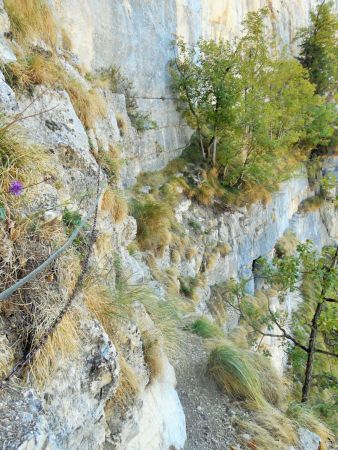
[{"x": 313, "y": 330}]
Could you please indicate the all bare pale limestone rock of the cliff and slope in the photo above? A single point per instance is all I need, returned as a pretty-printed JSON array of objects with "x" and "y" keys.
[{"x": 80, "y": 405}]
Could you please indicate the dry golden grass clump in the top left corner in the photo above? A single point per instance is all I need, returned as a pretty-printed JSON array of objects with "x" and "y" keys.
[{"x": 31, "y": 19}]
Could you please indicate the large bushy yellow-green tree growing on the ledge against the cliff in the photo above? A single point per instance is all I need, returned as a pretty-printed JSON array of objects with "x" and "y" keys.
[{"x": 256, "y": 114}]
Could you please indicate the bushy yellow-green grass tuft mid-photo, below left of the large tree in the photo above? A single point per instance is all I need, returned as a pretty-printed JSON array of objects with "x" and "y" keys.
[{"x": 154, "y": 220}]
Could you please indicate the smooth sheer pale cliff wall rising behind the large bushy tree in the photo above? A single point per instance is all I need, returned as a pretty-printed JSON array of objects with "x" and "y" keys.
[{"x": 136, "y": 36}]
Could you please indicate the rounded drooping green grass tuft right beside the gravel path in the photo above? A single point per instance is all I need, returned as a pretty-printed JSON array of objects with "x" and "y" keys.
[{"x": 234, "y": 373}]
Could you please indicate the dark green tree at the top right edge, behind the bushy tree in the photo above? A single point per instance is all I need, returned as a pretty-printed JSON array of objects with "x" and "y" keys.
[{"x": 319, "y": 48}]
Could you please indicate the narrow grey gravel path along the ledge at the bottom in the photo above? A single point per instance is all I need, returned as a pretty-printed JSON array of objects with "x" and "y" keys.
[{"x": 208, "y": 412}]
